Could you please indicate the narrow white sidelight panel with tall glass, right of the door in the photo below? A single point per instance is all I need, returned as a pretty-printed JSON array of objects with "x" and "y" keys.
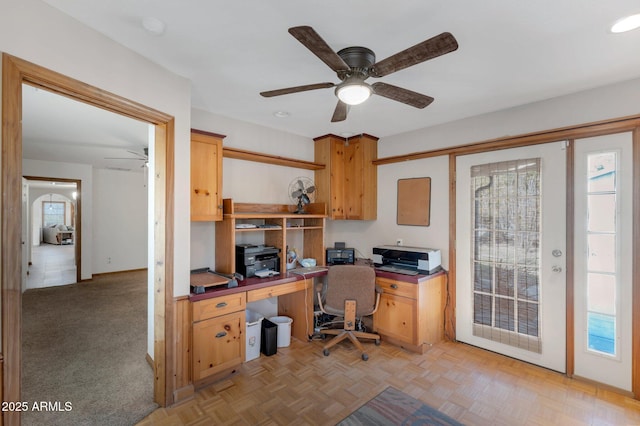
[{"x": 603, "y": 259}]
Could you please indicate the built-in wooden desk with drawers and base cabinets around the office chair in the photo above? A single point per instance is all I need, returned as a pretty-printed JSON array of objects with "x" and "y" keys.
[{"x": 410, "y": 315}]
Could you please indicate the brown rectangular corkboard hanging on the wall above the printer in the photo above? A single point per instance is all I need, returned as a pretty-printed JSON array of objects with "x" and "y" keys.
[{"x": 414, "y": 201}]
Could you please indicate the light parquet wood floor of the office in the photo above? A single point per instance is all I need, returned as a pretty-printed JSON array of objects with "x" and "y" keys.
[{"x": 300, "y": 386}]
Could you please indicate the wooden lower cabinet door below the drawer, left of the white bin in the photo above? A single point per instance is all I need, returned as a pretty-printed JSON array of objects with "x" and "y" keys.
[{"x": 218, "y": 344}]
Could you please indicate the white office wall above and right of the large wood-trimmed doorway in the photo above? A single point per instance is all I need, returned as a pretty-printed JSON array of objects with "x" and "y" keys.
[{"x": 36, "y": 32}]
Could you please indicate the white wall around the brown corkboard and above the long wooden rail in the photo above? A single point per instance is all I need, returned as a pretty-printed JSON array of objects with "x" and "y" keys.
[{"x": 613, "y": 101}]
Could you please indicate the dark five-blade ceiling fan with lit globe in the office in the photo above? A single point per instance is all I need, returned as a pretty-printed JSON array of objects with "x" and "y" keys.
[{"x": 354, "y": 65}]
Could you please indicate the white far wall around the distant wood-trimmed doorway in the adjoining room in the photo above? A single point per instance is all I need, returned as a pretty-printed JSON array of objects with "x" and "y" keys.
[{"x": 81, "y": 172}]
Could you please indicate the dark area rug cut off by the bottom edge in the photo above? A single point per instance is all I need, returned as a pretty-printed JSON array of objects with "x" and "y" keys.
[{"x": 393, "y": 407}]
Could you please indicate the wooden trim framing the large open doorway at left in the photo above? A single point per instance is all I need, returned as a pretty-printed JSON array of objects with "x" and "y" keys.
[{"x": 15, "y": 72}]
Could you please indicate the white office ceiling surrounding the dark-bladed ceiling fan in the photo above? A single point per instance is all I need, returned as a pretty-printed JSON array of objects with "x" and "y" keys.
[{"x": 511, "y": 53}]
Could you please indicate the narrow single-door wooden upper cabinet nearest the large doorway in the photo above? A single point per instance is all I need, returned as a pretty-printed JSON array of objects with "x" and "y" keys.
[{"x": 206, "y": 176}]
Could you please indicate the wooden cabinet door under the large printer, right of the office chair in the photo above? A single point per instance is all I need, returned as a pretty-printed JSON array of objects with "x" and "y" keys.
[{"x": 396, "y": 317}]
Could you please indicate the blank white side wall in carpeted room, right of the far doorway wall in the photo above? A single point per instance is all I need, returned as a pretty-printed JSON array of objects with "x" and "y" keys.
[{"x": 119, "y": 221}]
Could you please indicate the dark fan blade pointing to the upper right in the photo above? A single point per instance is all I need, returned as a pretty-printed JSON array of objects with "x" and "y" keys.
[{"x": 428, "y": 49}]
